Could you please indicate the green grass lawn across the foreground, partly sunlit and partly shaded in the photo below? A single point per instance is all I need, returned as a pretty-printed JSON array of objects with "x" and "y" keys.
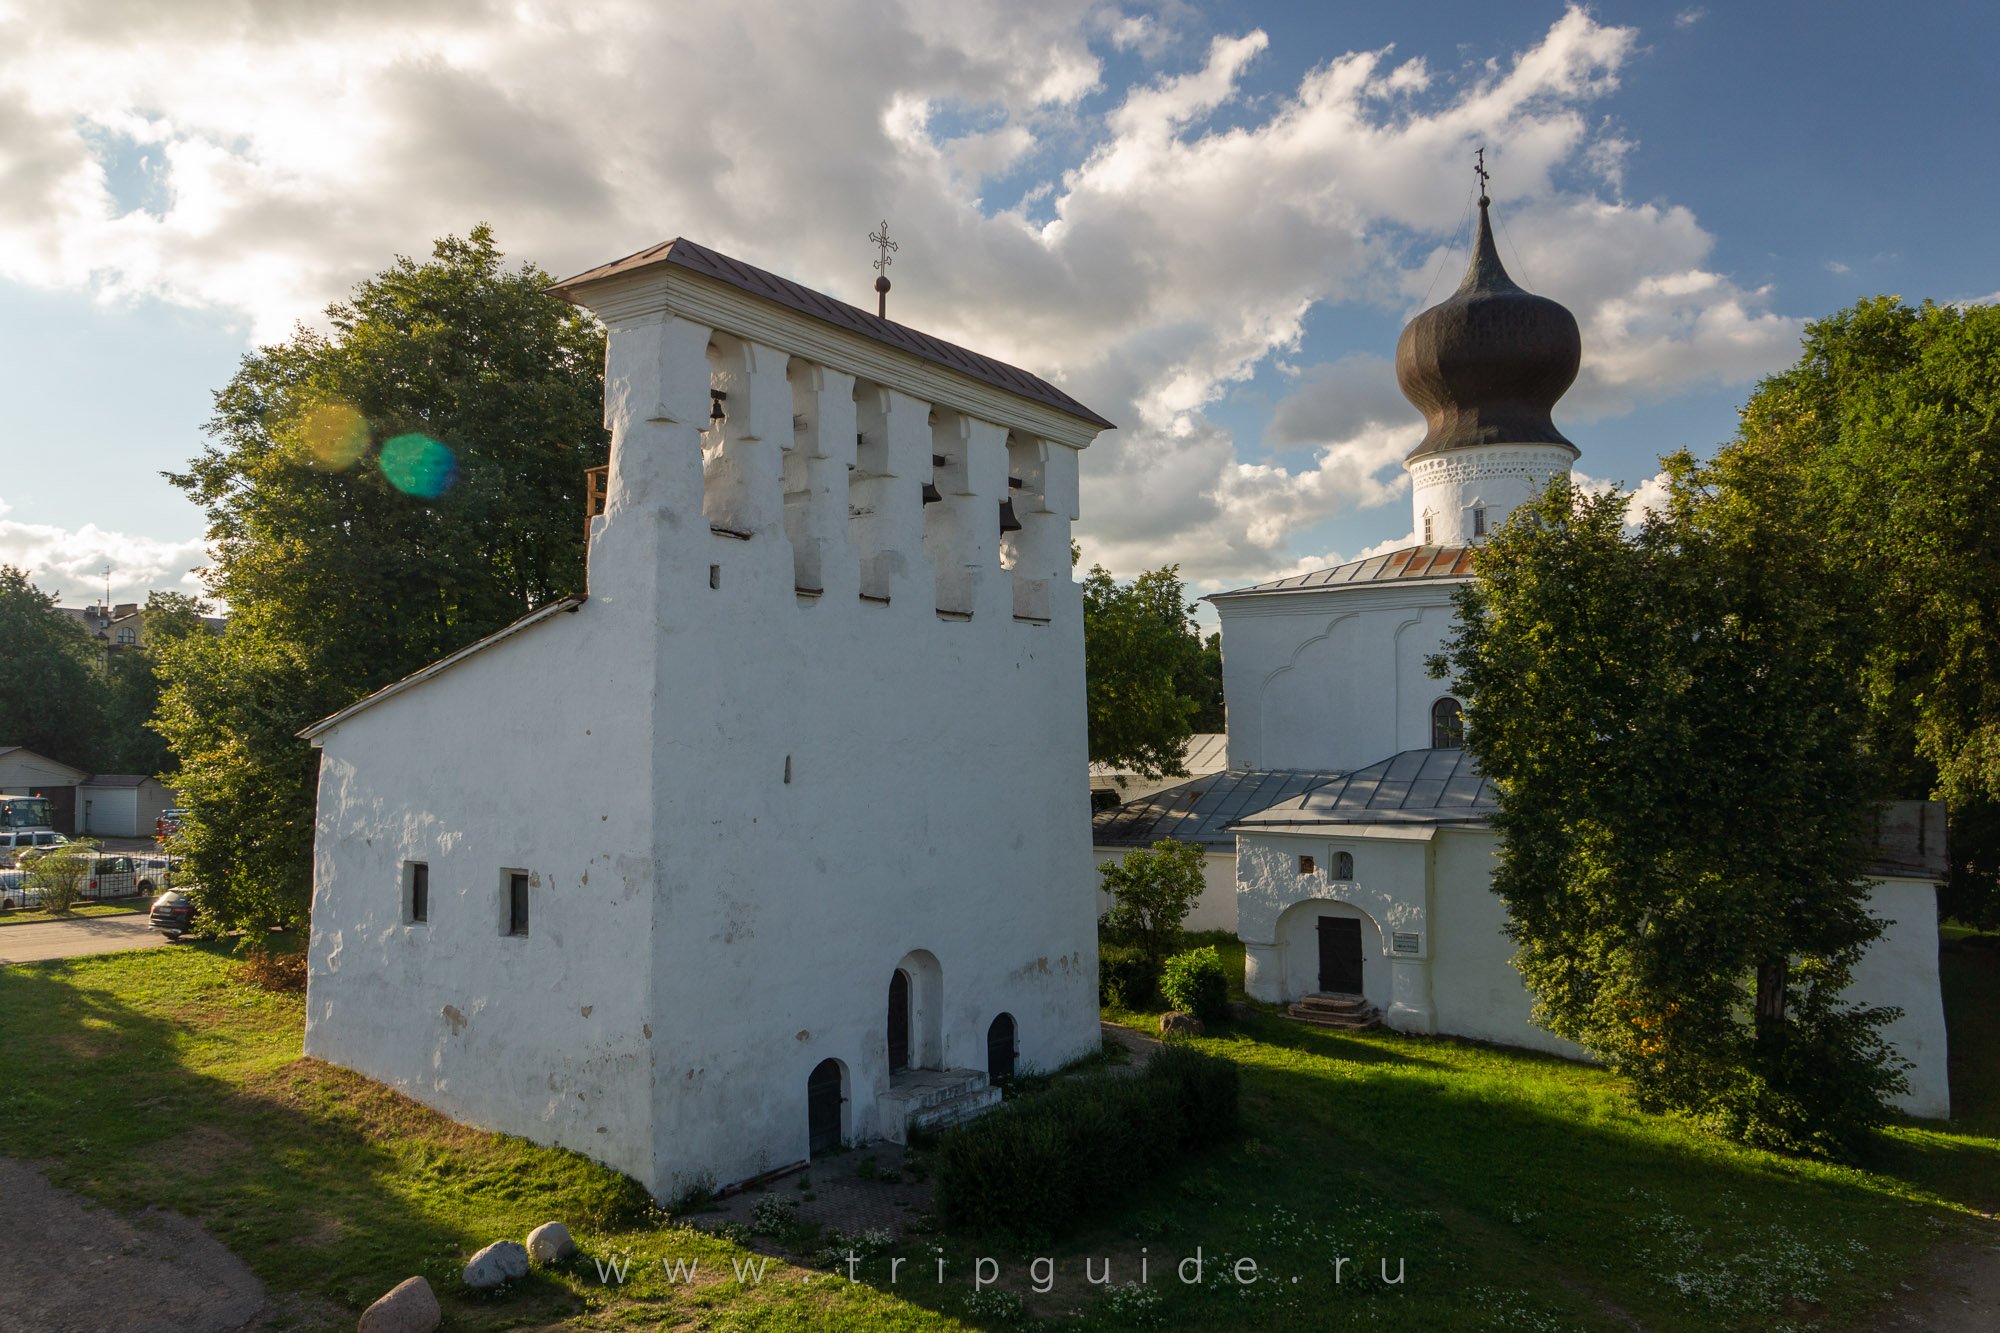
[{"x": 1509, "y": 1190}]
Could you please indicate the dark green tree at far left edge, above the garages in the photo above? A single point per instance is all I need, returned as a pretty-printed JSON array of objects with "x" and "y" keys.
[{"x": 53, "y": 694}]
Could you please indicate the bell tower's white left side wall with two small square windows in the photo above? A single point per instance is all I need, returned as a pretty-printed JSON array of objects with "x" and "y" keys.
[{"x": 497, "y": 766}]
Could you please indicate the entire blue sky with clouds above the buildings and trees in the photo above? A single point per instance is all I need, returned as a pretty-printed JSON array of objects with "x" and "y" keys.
[{"x": 1207, "y": 221}]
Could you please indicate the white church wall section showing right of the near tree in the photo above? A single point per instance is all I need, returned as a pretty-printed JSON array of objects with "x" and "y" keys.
[{"x": 1901, "y": 970}]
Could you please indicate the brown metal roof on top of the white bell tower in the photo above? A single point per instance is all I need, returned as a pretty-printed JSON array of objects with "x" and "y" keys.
[{"x": 771, "y": 287}]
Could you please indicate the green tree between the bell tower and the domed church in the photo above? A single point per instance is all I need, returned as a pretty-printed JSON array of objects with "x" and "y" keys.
[{"x": 1147, "y": 672}]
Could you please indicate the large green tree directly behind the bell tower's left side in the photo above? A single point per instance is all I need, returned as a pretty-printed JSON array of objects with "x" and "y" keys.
[{"x": 377, "y": 497}]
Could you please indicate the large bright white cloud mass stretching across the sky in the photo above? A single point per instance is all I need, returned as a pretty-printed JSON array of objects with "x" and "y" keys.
[{"x": 1159, "y": 257}]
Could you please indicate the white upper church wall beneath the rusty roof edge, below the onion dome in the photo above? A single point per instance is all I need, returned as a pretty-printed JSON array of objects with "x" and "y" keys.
[{"x": 1331, "y": 680}]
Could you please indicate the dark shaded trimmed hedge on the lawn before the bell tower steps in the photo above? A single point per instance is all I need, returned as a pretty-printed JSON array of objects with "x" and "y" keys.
[{"x": 1039, "y": 1164}]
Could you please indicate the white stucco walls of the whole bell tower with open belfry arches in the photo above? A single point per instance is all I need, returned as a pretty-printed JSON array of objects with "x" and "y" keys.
[{"x": 805, "y": 732}]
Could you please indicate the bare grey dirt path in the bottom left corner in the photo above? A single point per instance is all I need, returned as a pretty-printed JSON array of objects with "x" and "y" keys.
[{"x": 91, "y": 1270}]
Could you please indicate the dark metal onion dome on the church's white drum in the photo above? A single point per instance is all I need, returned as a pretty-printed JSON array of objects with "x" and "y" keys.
[{"x": 1489, "y": 363}]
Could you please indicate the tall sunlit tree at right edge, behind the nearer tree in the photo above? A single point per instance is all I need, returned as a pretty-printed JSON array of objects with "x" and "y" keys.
[{"x": 1885, "y": 443}]
